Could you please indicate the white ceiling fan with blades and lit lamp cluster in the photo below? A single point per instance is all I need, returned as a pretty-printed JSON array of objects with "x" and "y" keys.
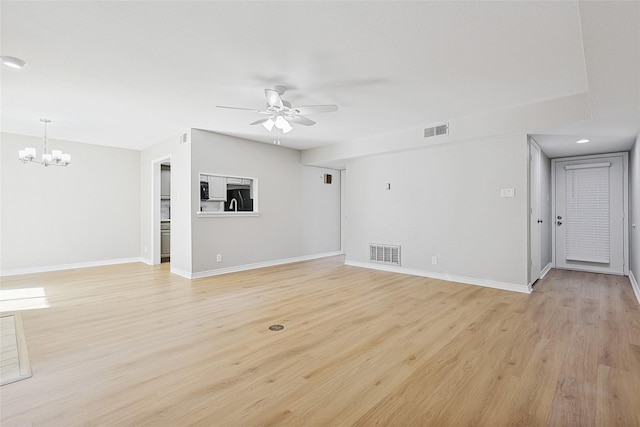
[{"x": 280, "y": 114}]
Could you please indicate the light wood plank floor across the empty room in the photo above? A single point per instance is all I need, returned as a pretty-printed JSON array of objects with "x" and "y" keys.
[{"x": 133, "y": 345}]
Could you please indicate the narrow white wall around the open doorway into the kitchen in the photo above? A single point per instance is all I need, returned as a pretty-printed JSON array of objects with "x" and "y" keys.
[{"x": 180, "y": 155}]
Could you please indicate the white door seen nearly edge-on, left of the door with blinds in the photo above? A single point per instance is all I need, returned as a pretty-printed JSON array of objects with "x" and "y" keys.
[{"x": 534, "y": 213}]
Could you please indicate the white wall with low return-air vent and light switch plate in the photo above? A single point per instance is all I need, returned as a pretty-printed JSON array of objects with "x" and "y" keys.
[{"x": 445, "y": 201}]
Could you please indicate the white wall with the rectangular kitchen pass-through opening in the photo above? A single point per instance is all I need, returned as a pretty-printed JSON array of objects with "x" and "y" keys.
[{"x": 299, "y": 215}]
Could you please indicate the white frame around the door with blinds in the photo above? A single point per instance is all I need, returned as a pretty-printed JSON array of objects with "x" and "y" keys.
[{"x": 625, "y": 204}]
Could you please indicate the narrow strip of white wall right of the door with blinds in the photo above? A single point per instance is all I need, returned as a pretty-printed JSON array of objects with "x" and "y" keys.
[{"x": 634, "y": 210}]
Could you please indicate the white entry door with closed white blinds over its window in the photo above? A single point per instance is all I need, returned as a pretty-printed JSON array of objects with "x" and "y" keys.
[{"x": 589, "y": 215}]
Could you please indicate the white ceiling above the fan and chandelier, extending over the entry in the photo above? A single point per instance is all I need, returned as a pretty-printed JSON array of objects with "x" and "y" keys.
[{"x": 130, "y": 74}]
